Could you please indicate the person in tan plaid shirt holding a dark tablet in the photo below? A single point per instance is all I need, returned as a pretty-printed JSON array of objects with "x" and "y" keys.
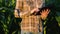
[{"x": 31, "y": 23}]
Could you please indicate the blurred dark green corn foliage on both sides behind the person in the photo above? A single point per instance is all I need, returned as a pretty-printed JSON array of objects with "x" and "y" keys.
[{"x": 10, "y": 25}]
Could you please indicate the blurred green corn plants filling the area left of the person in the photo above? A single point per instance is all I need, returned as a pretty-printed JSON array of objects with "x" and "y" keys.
[{"x": 7, "y": 20}]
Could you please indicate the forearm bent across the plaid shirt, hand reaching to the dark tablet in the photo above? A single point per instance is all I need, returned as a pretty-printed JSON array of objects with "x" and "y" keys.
[{"x": 22, "y": 14}]
